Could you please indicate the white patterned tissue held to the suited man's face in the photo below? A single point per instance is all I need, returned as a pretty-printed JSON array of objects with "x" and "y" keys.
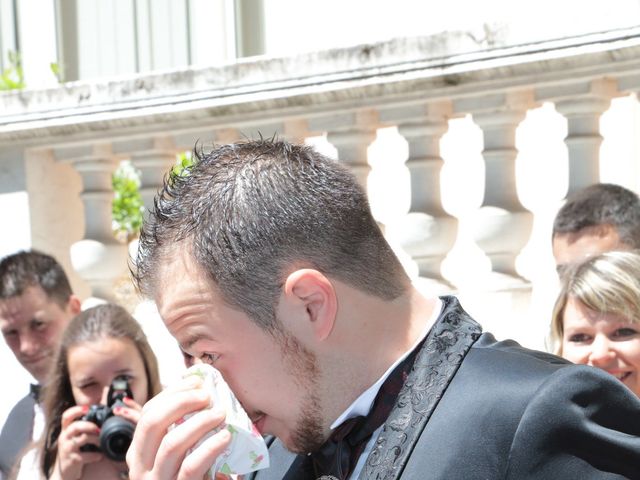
[{"x": 247, "y": 451}]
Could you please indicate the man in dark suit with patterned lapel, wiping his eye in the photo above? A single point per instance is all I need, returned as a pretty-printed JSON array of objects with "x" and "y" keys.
[{"x": 264, "y": 260}]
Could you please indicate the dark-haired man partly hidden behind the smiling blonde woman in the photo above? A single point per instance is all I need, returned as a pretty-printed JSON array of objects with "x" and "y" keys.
[{"x": 595, "y": 219}]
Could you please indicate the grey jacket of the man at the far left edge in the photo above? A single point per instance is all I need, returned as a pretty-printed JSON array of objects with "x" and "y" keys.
[{"x": 16, "y": 433}]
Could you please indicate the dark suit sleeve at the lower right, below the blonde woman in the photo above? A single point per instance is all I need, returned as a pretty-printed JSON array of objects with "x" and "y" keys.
[{"x": 582, "y": 423}]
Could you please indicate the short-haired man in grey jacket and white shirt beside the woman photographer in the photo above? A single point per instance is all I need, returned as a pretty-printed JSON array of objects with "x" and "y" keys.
[{"x": 36, "y": 304}]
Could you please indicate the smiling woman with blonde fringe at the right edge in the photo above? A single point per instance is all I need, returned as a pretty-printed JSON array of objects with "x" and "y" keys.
[{"x": 596, "y": 317}]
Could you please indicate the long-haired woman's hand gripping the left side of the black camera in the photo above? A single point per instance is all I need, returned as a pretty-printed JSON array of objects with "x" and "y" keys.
[{"x": 75, "y": 434}]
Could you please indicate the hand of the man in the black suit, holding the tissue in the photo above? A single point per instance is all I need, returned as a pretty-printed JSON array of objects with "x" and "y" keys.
[{"x": 157, "y": 453}]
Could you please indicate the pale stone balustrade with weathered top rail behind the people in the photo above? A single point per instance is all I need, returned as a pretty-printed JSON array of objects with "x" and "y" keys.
[{"x": 421, "y": 86}]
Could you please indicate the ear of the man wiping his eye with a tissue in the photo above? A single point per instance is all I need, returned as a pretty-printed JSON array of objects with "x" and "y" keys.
[{"x": 314, "y": 294}]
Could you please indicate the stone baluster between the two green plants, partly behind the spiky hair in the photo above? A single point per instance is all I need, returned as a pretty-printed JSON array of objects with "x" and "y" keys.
[{"x": 153, "y": 157}]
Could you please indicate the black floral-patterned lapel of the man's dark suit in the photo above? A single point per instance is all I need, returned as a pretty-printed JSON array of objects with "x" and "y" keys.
[{"x": 445, "y": 347}]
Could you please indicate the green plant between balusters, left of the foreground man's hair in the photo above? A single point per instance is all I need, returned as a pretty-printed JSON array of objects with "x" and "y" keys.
[{"x": 127, "y": 207}]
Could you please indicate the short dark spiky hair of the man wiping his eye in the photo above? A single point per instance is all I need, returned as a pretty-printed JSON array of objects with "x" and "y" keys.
[{"x": 250, "y": 212}]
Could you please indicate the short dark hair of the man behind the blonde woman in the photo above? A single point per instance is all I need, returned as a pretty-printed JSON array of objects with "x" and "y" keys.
[{"x": 601, "y": 204}]
